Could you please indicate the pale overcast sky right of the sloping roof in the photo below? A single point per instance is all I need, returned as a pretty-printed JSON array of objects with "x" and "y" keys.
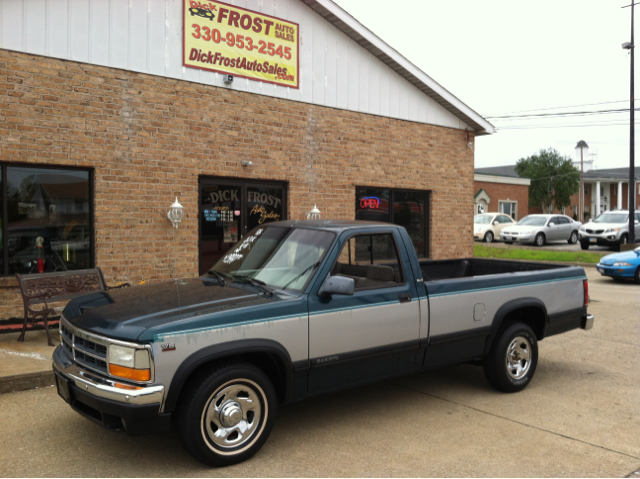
[{"x": 504, "y": 56}]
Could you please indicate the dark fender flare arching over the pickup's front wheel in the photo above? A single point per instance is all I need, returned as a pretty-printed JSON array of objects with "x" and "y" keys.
[{"x": 227, "y": 350}]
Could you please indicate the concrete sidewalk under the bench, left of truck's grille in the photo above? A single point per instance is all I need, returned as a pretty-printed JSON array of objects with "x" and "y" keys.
[{"x": 26, "y": 365}]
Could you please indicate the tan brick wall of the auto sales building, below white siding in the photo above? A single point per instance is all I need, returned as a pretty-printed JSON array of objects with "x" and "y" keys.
[{"x": 148, "y": 139}]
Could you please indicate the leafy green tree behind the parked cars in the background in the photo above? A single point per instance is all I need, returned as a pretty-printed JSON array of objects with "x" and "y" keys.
[{"x": 553, "y": 177}]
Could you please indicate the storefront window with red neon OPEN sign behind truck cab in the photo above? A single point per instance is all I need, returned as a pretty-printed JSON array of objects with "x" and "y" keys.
[{"x": 408, "y": 208}]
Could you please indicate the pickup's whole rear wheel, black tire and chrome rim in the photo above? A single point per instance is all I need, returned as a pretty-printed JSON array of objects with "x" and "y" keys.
[{"x": 512, "y": 359}]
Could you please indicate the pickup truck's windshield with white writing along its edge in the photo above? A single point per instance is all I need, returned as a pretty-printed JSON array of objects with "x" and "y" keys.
[{"x": 284, "y": 258}]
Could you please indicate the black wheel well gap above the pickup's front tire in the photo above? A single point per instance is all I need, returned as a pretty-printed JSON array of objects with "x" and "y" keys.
[{"x": 271, "y": 364}]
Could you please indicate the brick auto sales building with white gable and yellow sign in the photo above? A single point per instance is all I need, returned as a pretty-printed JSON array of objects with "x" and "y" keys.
[{"x": 105, "y": 119}]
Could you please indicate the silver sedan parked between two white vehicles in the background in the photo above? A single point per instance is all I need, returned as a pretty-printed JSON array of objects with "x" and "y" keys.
[{"x": 542, "y": 229}]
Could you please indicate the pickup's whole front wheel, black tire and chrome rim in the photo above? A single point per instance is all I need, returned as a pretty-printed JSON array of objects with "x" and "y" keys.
[{"x": 226, "y": 415}]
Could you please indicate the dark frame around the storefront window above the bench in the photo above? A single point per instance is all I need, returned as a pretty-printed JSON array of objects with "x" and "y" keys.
[{"x": 4, "y": 166}]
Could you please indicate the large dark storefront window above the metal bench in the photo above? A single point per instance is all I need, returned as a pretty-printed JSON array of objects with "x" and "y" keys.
[{"x": 48, "y": 220}]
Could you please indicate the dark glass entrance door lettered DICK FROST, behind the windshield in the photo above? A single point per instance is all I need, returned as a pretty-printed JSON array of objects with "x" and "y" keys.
[{"x": 231, "y": 208}]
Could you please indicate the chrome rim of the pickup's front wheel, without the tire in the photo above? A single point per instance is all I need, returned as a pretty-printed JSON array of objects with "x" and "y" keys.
[{"x": 235, "y": 416}]
